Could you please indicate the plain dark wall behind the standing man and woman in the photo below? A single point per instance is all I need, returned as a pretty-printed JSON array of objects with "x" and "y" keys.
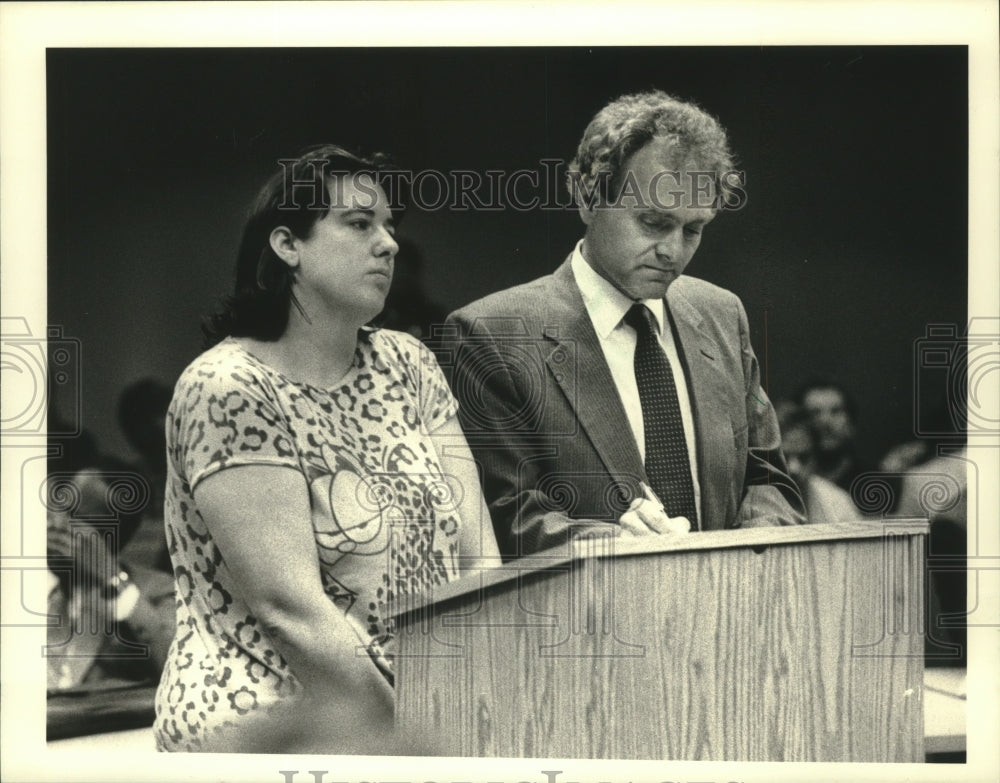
[{"x": 853, "y": 239}]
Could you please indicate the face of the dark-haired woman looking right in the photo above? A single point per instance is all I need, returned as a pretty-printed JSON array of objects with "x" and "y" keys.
[{"x": 345, "y": 265}]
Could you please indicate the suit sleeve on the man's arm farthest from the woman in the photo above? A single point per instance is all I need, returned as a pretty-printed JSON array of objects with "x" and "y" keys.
[{"x": 770, "y": 496}]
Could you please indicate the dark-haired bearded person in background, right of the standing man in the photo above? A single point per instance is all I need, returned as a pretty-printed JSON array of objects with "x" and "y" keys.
[{"x": 834, "y": 417}]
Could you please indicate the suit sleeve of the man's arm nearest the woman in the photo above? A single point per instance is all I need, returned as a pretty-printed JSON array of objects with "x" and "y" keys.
[{"x": 502, "y": 416}]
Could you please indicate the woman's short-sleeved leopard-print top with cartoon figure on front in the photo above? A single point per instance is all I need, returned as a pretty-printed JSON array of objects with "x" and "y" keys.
[{"x": 384, "y": 520}]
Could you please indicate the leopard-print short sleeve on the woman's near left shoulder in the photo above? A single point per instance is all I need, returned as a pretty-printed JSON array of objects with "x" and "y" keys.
[{"x": 224, "y": 413}]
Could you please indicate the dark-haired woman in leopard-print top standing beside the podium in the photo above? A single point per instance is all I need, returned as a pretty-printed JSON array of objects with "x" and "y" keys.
[{"x": 309, "y": 482}]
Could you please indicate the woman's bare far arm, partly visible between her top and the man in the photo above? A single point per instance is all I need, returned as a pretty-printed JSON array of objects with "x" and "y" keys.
[{"x": 477, "y": 542}]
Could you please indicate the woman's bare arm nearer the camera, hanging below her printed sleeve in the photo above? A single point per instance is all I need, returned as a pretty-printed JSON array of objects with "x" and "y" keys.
[{"x": 259, "y": 518}]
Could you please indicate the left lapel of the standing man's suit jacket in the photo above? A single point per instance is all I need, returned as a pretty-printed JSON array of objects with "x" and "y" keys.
[{"x": 578, "y": 366}]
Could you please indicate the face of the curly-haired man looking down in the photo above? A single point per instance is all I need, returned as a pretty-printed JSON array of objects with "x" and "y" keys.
[{"x": 645, "y": 241}]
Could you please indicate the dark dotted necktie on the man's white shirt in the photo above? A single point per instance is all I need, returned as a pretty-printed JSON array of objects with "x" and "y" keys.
[{"x": 667, "y": 464}]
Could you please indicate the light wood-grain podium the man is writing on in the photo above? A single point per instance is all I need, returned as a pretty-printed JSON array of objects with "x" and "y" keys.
[{"x": 766, "y": 644}]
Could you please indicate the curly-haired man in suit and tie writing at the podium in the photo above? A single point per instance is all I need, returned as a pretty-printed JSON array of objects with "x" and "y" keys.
[{"x": 563, "y": 384}]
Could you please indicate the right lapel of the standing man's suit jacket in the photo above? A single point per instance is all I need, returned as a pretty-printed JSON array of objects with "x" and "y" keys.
[{"x": 707, "y": 385}]
